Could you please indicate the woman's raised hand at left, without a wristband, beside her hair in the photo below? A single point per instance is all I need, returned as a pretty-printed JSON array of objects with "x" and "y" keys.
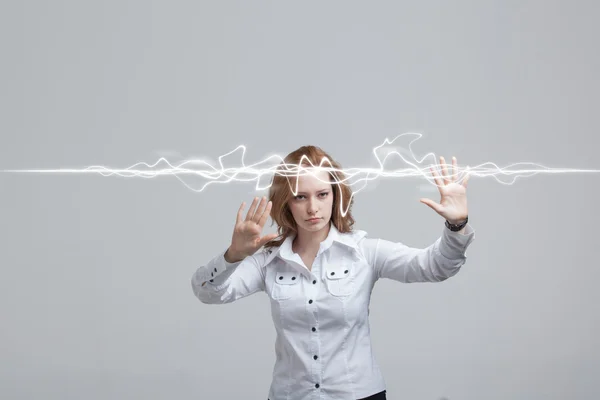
[{"x": 246, "y": 238}]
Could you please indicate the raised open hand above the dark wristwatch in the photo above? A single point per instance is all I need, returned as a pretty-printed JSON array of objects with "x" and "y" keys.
[{"x": 453, "y": 204}]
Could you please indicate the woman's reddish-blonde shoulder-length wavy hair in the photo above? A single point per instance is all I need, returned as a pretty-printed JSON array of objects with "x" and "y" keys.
[{"x": 280, "y": 193}]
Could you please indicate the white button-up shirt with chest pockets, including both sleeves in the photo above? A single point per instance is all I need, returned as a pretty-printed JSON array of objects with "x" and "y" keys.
[{"x": 321, "y": 316}]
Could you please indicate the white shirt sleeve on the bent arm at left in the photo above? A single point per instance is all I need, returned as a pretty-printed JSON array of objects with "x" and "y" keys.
[{"x": 220, "y": 282}]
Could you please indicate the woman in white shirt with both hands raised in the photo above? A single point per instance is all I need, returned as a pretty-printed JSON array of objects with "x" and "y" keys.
[{"x": 319, "y": 273}]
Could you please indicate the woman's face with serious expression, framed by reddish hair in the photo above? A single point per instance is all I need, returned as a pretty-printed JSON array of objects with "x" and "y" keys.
[{"x": 313, "y": 204}]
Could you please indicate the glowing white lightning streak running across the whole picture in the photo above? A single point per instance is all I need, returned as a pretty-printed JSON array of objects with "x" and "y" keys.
[{"x": 357, "y": 178}]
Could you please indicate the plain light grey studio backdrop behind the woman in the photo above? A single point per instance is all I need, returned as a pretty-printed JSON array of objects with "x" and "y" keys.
[{"x": 95, "y": 295}]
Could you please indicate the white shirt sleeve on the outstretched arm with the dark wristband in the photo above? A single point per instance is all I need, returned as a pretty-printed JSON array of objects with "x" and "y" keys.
[{"x": 435, "y": 263}]
